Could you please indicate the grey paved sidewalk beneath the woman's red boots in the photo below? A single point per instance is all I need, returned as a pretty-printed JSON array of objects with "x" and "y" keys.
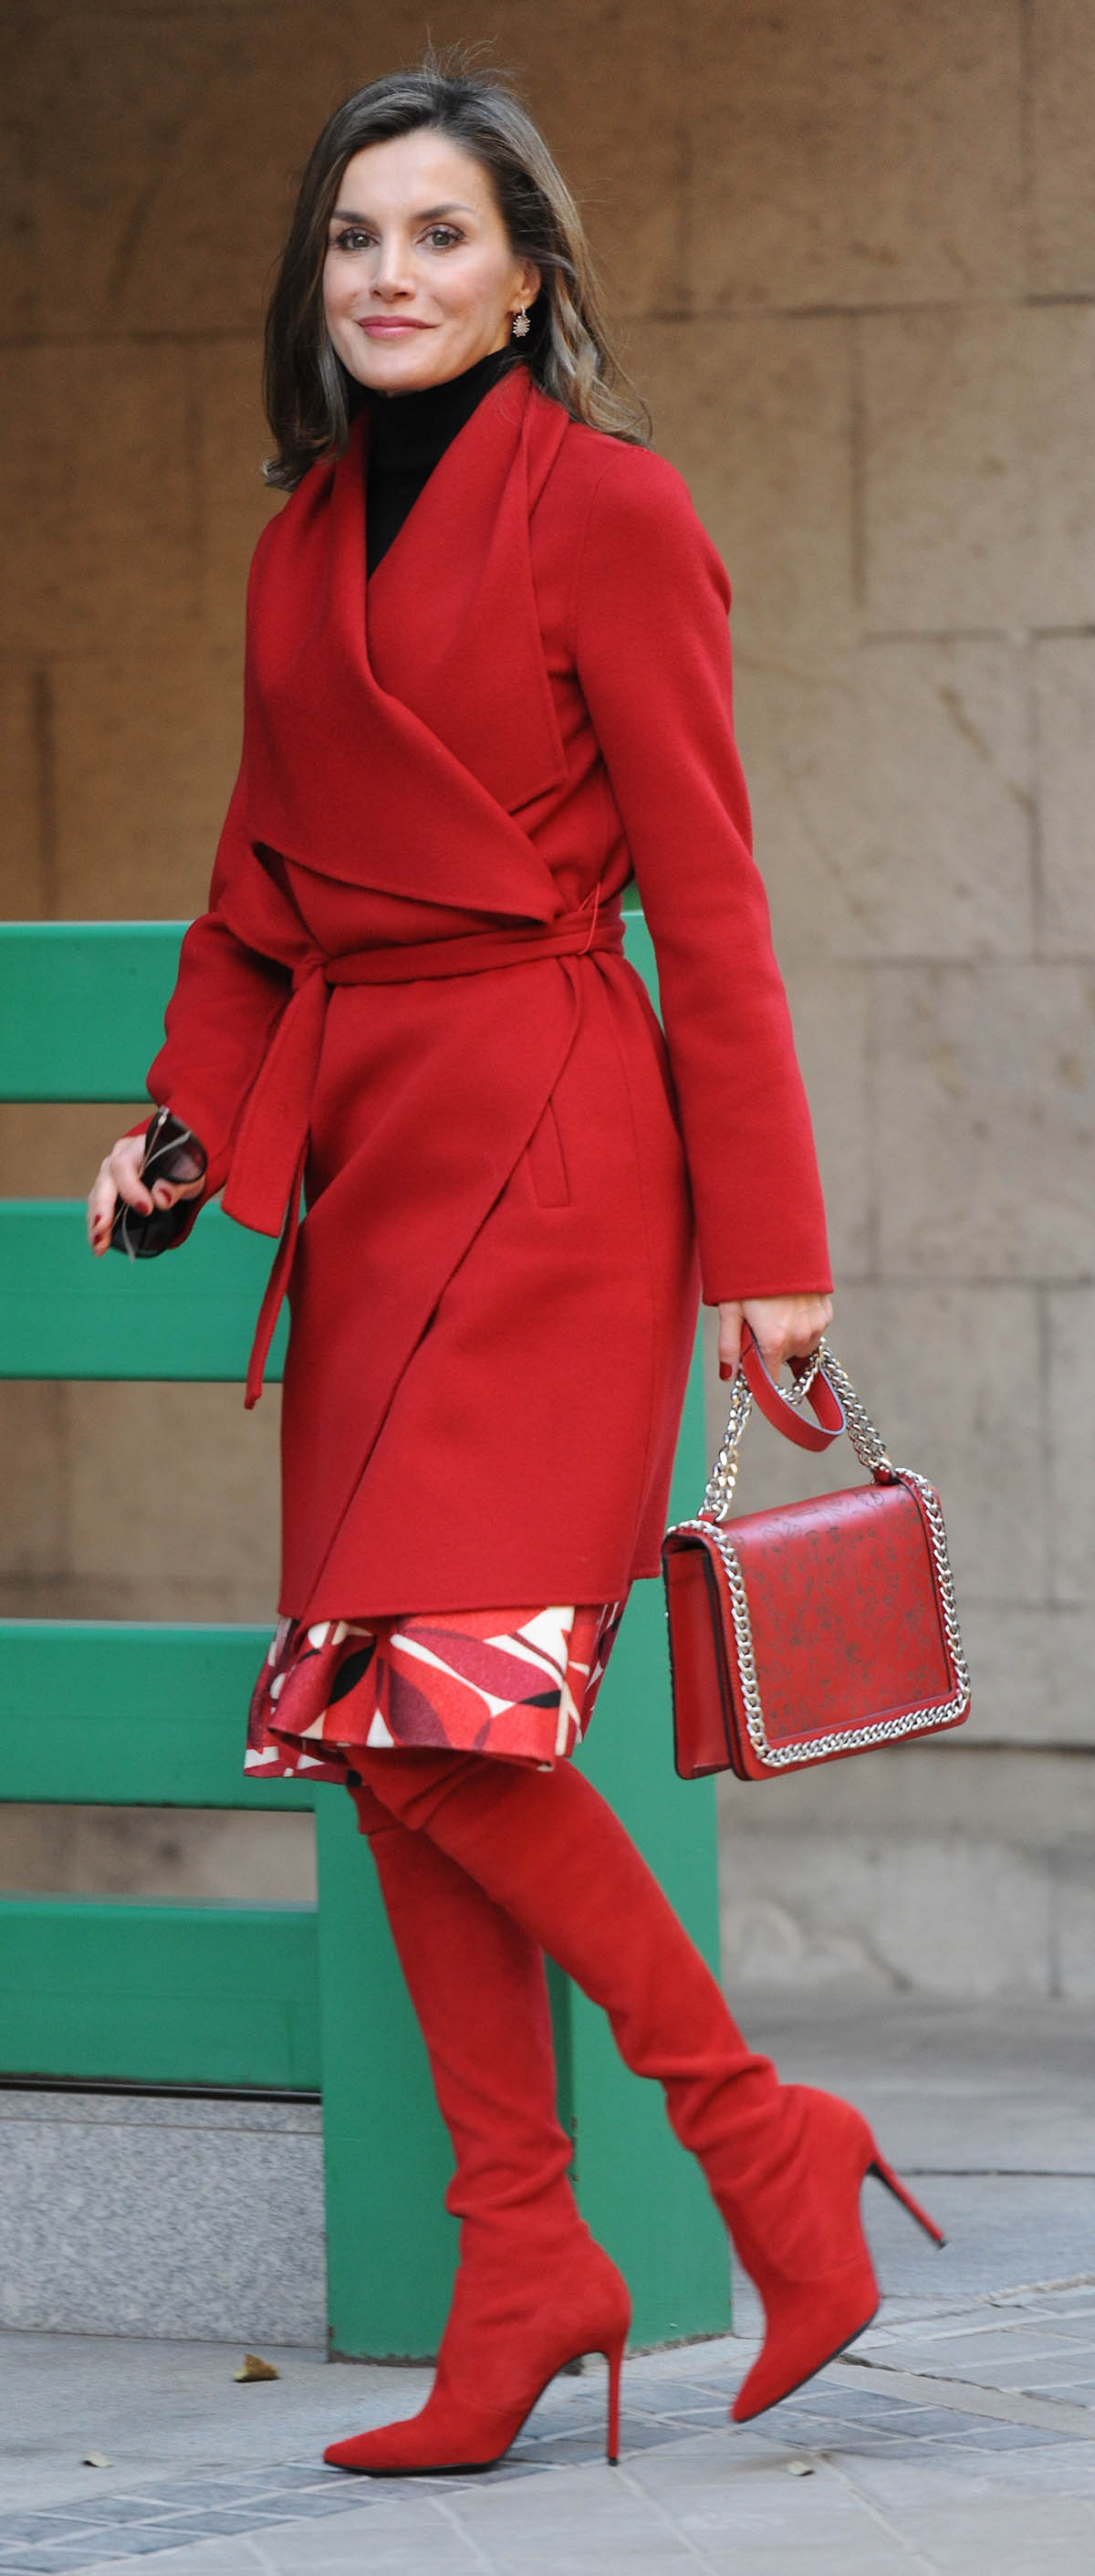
[{"x": 960, "y": 2438}]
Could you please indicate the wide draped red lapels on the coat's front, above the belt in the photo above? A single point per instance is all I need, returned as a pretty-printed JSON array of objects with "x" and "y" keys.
[{"x": 388, "y": 741}]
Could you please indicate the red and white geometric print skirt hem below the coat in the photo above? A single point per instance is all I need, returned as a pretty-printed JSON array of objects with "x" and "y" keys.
[{"x": 509, "y": 1683}]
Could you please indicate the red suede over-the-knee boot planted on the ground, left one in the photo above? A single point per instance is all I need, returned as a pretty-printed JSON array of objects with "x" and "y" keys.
[{"x": 532, "y": 2286}]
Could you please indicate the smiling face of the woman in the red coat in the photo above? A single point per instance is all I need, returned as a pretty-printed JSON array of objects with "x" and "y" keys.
[{"x": 419, "y": 279}]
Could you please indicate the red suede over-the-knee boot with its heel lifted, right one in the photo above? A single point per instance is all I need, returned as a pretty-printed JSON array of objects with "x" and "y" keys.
[{"x": 782, "y": 2160}]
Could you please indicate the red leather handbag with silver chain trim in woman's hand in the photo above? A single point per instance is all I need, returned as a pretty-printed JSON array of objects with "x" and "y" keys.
[{"x": 818, "y": 1629}]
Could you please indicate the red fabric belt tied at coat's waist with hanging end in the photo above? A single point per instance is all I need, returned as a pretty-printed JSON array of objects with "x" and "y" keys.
[{"x": 264, "y": 1189}]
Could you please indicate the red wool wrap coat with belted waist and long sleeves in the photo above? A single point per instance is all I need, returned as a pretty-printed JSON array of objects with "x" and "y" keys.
[{"x": 408, "y": 993}]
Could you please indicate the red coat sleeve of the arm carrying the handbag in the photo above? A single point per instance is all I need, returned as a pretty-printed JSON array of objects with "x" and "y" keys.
[{"x": 653, "y": 661}]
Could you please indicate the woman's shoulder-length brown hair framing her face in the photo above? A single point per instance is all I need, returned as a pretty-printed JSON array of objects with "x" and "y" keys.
[{"x": 308, "y": 390}]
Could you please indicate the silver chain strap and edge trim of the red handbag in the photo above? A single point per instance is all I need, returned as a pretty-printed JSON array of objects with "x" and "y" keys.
[{"x": 715, "y": 1511}]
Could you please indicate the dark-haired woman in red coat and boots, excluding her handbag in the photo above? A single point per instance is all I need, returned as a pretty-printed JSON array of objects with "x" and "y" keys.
[{"x": 408, "y": 996}]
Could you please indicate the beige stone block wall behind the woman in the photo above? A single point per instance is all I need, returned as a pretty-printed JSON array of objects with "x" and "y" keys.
[{"x": 852, "y": 246}]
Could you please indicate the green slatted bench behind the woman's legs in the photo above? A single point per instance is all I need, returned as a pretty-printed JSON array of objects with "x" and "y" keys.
[{"x": 151, "y": 1714}]
